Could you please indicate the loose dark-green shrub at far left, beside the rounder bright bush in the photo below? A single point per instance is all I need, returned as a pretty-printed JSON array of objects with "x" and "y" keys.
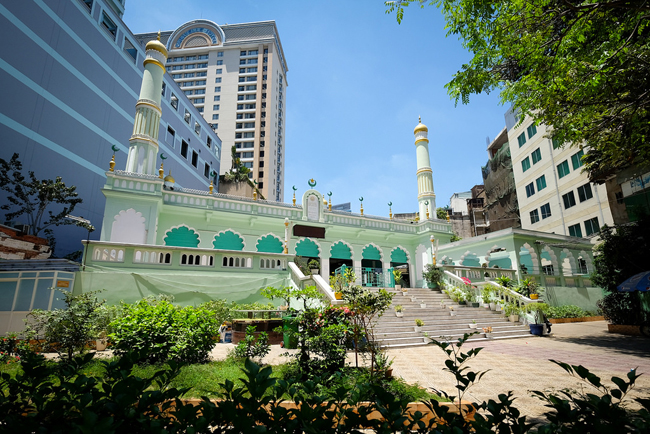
[{"x": 68, "y": 330}]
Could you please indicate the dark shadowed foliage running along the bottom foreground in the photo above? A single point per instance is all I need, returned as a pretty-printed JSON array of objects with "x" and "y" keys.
[{"x": 59, "y": 398}]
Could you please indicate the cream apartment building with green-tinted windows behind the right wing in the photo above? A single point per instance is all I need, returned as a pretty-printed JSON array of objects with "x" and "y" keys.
[{"x": 553, "y": 193}]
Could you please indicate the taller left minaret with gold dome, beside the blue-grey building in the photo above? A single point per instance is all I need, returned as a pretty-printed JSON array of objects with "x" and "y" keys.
[{"x": 143, "y": 144}]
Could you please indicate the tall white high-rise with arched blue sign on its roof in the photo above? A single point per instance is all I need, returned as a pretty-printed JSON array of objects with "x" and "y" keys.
[{"x": 235, "y": 75}]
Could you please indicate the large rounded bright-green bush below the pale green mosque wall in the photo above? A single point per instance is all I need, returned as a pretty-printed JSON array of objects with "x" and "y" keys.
[{"x": 160, "y": 331}]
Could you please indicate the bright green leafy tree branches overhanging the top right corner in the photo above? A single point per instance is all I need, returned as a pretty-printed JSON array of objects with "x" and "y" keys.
[{"x": 580, "y": 67}]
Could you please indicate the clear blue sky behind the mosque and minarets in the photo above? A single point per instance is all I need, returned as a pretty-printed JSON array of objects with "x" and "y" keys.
[{"x": 357, "y": 82}]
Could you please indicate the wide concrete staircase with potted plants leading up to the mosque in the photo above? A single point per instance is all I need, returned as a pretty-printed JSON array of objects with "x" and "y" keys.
[{"x": 395, "y": 332}]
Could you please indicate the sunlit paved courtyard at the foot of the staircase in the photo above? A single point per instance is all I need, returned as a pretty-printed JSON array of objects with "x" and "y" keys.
[{"x": 522, "y": 365}]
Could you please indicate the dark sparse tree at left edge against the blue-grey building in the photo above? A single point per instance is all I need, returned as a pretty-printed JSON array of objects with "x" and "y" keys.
[{"x": 32, "y": 198}]
